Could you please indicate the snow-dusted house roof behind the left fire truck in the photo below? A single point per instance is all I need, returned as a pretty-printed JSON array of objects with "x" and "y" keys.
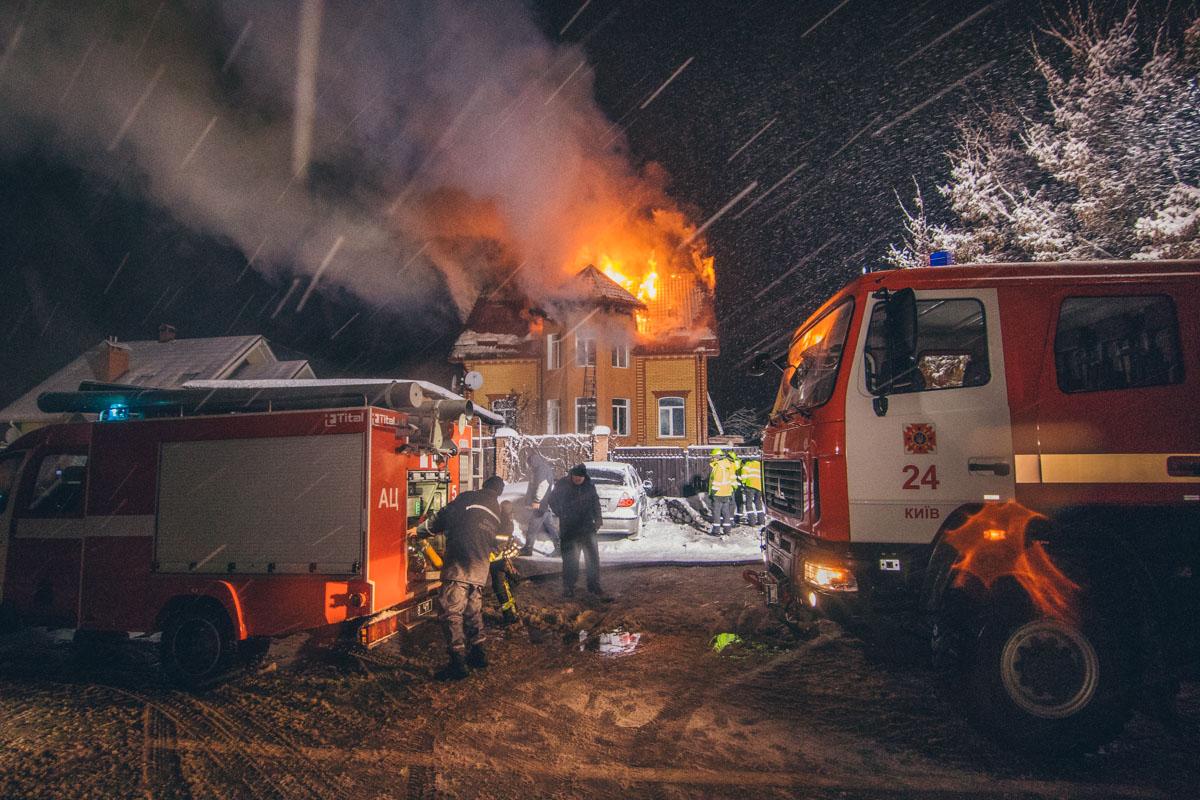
[{"x": 152, "y": 364}]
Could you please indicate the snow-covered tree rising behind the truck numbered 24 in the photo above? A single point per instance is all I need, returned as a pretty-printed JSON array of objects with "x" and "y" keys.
[{"x": 1111, "y": 171}]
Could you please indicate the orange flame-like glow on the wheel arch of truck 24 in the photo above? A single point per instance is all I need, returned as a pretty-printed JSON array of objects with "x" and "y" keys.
[{"x": 993, "y": 544}]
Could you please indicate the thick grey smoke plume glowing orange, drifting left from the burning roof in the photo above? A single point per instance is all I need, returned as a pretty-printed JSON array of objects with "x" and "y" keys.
[{"x": 397, "y": 149}]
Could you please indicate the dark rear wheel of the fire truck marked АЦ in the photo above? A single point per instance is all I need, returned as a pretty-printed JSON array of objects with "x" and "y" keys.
[{"x": 199, "y": 647}]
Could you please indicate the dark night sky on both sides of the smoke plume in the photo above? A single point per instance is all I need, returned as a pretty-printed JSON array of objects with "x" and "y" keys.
[{"x": 848, "y": 101}]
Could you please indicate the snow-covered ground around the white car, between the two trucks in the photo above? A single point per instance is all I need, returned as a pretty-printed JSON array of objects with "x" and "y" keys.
[{"x": 662, "y": 542}]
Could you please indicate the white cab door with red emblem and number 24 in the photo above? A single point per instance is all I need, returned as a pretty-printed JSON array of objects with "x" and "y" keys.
[{"x": 946, "y": 440}]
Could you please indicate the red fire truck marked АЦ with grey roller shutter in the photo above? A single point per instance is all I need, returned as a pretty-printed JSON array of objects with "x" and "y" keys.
[{"x": 226, "y": 516}]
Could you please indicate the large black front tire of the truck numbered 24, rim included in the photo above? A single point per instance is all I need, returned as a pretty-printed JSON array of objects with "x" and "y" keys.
[{"x": 1048, "y": 687}]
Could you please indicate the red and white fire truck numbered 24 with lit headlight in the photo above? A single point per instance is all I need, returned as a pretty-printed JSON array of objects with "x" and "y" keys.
[{"x": 1010, "y": 454}]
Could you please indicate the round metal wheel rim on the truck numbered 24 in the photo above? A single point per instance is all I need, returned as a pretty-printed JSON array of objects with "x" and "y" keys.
[{"x": 1049, "y": 670}]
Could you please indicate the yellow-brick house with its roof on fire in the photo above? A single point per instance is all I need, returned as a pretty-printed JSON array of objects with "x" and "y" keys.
[{"x": 617, "y": 352}]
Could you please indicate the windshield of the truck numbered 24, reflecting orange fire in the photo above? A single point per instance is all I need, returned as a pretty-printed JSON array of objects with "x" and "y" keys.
[{"x": 813, "y": 360}]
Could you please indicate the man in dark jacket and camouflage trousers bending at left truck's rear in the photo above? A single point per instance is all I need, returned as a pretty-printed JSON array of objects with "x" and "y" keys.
[{"x": 476, "y": 525}]
